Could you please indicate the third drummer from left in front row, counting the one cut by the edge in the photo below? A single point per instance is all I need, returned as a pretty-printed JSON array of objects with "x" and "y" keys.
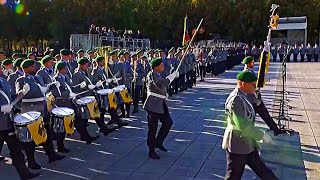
[{"x": 63, "y": 97}]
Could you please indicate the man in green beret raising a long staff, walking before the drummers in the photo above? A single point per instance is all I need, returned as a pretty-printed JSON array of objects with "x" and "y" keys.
[{"x": 156, "y": 107}]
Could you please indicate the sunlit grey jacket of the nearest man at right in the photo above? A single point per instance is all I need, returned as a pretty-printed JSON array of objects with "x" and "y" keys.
[{"x": 240, "y": 135}]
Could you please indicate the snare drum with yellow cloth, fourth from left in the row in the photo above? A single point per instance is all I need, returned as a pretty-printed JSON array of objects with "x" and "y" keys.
[{"x": 107, "y": 98}]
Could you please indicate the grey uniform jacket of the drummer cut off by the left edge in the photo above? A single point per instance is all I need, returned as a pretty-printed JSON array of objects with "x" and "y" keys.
[{"x": 5, "y": 91}]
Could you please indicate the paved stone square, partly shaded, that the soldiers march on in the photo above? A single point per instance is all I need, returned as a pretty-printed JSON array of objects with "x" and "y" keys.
[{"x": 194, "y": 142}]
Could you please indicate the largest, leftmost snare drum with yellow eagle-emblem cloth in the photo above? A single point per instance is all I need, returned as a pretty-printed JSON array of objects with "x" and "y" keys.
[{"x": 29, "y": 127}]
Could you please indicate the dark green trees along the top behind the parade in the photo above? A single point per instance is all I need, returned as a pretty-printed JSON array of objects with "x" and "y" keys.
[{"x": 243, "y": 20}]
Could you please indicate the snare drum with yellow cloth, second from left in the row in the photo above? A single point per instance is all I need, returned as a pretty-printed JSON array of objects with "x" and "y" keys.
[{"x": 62, "y": 119}]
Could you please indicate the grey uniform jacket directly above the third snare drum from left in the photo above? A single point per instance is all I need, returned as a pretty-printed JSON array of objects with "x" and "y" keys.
[{"x": 77, "y": 79}]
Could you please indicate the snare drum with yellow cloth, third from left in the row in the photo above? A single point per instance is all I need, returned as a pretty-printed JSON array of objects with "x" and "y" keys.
[{"x": 88, "y": 107}]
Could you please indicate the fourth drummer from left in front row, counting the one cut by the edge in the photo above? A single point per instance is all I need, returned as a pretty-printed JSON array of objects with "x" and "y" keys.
[{"x": 81, "y": 83}]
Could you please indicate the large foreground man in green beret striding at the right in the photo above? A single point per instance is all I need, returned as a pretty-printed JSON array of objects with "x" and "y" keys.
[{"x": 241, "y": 136}]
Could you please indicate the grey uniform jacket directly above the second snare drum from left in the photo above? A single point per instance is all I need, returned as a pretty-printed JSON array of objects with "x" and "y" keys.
[{"x": 61, "y": 95}]
